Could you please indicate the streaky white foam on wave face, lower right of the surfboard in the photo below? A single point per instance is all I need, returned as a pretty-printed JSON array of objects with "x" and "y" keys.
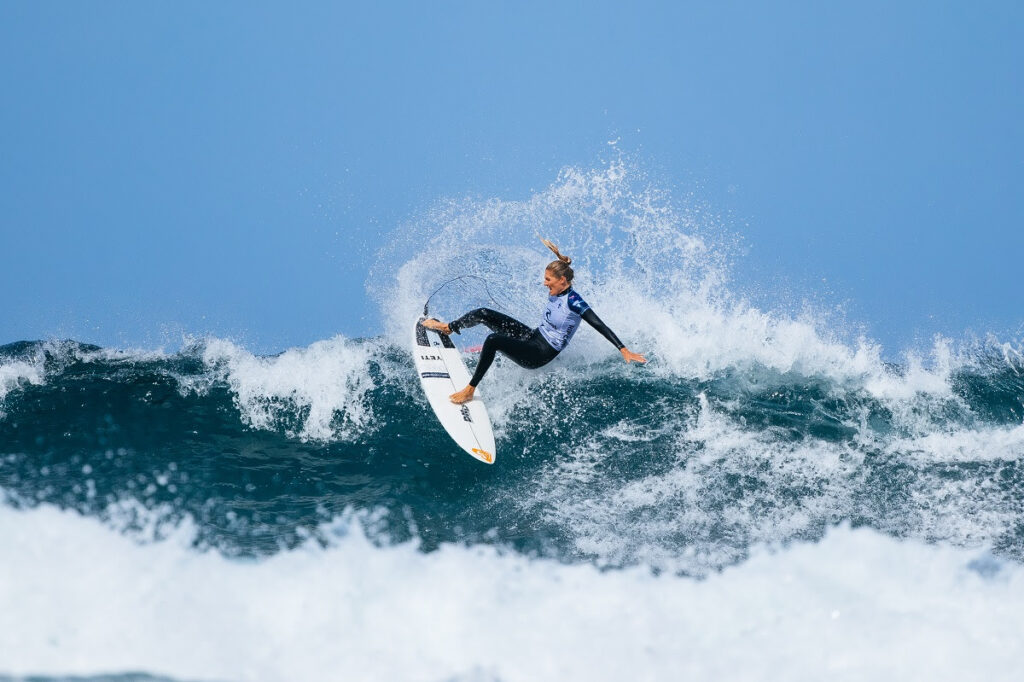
[{"x": 723, "y": 486}]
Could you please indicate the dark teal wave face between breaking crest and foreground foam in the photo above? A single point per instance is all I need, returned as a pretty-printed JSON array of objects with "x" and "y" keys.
[{"x": 604, "y": 464}]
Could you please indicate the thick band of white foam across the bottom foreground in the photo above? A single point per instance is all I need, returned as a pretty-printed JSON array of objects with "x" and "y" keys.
[{"x": 81, "y": 600}]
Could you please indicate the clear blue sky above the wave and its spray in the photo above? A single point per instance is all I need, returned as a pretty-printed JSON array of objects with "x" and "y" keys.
[{"x": 230, "y": 167}]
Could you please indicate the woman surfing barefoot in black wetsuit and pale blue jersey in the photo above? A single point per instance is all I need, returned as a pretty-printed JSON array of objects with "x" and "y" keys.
[{"x": 533, "y": 348}]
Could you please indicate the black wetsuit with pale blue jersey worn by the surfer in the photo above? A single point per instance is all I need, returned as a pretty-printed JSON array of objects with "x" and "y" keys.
[{"x": 532, "y": 348}]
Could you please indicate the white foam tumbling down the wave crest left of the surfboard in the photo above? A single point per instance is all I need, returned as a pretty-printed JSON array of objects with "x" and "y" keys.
[{"x": 325, "y": 385}]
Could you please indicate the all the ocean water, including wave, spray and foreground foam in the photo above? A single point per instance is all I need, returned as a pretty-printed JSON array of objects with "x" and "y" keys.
[{"x": 767, "y": 499}]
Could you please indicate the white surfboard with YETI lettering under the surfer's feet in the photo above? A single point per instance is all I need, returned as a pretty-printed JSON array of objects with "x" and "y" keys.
[{"x": 443, "y": 373}]
